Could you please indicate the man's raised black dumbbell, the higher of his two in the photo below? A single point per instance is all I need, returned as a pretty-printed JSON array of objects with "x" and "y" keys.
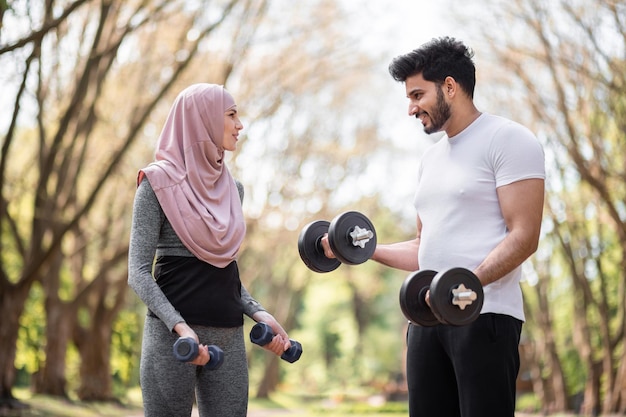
[{"x": 351, "y": 237}]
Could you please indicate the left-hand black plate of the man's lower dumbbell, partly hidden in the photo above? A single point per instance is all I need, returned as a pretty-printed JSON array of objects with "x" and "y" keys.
[{"x": 412, "y": 298}]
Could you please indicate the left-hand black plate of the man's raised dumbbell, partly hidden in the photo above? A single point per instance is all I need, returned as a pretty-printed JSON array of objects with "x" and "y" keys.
[{"x": 310, "y": 247}]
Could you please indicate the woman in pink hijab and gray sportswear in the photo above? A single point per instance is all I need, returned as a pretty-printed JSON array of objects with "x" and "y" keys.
[{"x": 187, "y": 213}]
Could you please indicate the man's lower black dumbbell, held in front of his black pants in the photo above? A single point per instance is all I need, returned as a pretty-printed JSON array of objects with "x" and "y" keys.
[{"x": 456, "y": 297}]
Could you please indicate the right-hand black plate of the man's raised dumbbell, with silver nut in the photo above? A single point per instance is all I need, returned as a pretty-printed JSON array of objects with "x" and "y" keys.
[{"x": 342, "y": 243}]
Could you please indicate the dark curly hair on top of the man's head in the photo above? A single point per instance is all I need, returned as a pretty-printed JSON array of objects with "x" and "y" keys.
[{"x": 436, "y": 60}]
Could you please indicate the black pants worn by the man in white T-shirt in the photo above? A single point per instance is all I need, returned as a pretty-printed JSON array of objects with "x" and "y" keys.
[{"x": 467, "y": 371}]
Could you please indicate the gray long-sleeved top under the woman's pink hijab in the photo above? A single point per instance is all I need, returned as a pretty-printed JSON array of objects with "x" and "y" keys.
[{"x": 152, "y": 235}]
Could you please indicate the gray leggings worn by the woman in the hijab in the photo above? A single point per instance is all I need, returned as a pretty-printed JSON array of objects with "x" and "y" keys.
[{"x": 168, "y": 385}]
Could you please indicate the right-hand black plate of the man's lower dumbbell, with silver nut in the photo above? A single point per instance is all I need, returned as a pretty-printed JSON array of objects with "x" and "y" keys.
[{"x": 441, "y": 296}]
